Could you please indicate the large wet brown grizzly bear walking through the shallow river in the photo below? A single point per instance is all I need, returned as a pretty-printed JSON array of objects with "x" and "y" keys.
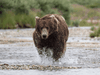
[{"x": 51, "y": 32}]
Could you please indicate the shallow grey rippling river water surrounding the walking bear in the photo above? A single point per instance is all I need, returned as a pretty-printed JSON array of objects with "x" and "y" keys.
[{"x": 82, "y": 53}]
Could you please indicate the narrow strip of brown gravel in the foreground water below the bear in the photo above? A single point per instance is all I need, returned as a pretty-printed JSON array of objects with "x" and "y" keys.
[{"x": 33, "y": 67}]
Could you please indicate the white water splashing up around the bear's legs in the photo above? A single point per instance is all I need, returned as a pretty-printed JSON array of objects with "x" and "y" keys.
[{"x": 46, "y": 58}]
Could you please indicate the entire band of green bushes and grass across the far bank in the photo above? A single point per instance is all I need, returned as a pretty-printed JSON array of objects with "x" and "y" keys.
[{"x": 23, "y": 12}]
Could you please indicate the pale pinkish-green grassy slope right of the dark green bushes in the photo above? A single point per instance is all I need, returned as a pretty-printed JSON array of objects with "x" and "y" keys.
[{"x": 80, "y": 14}]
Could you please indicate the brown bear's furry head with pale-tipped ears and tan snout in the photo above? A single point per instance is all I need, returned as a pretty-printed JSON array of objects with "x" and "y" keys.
[{"x": 46, "y": 26}]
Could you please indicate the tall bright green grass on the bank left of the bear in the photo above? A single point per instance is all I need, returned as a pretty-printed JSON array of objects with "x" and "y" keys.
[{"x": 9, "y": 20}]
